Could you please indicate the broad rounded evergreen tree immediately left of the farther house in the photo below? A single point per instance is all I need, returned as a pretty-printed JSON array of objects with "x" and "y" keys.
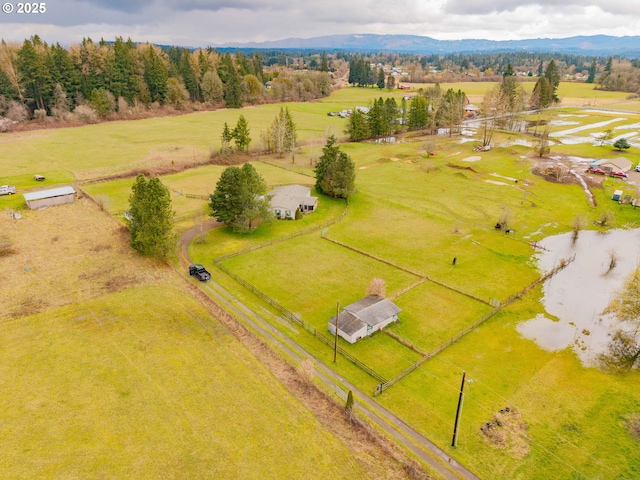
[{"x": 238, "y": 200}]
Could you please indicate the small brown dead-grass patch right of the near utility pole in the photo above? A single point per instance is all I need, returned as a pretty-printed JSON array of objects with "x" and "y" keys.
[{"x": 507, "y": 431}]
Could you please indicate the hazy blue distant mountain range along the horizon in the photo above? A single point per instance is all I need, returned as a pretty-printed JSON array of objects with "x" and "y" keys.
[{"x": 601, "y": 45}]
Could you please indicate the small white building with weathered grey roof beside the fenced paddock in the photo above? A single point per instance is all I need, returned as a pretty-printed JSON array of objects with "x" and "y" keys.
[{"x": 362, "y": 318}]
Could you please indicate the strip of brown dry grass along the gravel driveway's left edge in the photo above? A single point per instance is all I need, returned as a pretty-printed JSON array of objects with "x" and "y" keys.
[{"x": 380, "y": 457}]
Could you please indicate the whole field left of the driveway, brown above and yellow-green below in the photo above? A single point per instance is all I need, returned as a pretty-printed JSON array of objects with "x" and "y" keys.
[{"x": 111, "y": 368}]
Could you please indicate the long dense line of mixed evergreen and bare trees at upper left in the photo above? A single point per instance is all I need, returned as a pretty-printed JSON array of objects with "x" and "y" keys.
[{"x": 40, "y": 80}]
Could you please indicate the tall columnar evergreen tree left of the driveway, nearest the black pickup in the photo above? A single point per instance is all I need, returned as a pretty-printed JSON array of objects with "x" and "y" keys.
[{"x": 151, "y": 222}]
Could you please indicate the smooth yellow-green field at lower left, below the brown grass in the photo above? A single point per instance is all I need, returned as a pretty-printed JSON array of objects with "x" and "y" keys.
[{"x": 144, "y": 383}]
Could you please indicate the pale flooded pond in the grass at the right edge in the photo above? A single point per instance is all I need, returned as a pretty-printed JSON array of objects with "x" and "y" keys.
[{"x": 578, "y": 295}]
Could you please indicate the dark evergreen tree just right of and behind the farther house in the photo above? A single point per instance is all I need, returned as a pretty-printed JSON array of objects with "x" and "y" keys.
[{"x": 335, "y": 172}]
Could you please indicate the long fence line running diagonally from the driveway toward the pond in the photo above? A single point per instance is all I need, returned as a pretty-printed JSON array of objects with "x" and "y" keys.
[{"x": 383, "y": 386}]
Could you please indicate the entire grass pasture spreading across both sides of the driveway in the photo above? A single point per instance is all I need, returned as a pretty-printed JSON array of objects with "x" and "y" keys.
[{"x": 411, "y": 210}]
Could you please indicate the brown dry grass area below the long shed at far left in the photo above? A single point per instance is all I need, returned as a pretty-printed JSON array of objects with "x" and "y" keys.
[{"x": 65, "y": 254}]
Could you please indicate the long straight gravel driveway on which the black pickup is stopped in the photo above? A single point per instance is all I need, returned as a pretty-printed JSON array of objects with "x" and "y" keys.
[{"x": 394, "y": 426}]
